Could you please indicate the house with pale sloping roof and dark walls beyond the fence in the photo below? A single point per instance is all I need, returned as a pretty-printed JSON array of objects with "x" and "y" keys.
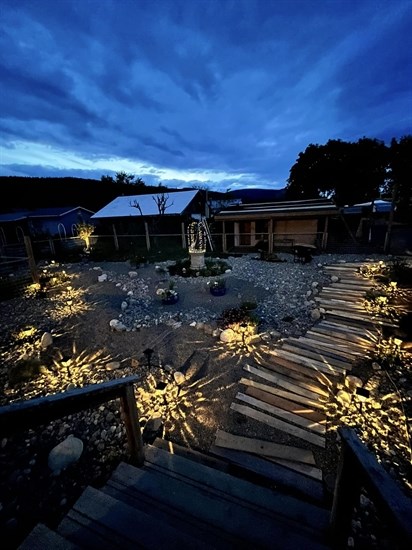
[{"x": 163, "y": 211}]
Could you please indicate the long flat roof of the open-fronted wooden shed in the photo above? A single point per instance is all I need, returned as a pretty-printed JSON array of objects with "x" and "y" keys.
[{"x": 281, "y": 209}]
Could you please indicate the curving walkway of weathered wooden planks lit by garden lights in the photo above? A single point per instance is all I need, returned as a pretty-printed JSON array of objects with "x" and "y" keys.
[{"x": 288, "y": 387}]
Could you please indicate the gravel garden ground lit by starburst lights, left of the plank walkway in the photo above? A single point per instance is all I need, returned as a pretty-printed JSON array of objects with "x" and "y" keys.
[{"x": 85, "y": 351}]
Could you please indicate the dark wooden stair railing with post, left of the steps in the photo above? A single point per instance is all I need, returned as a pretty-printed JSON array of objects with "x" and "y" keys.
[{"x": 42, "y": 410}]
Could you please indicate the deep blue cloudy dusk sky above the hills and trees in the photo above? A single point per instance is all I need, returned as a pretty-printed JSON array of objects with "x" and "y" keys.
[{"x": 223, "y": 93}]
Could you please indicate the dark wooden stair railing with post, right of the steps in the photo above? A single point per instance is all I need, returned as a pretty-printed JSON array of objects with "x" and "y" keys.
[{"x": 359, "y": 468}]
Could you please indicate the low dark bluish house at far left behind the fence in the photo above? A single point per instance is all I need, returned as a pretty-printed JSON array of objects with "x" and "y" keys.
[{"x": 40, "y": 223}]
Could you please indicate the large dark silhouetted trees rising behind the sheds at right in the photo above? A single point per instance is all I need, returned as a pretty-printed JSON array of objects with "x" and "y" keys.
[{"x": 355, "y": 172}]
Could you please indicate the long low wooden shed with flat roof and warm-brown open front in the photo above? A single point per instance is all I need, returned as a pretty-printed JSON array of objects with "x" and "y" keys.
[{"x": 273, "y": 224}]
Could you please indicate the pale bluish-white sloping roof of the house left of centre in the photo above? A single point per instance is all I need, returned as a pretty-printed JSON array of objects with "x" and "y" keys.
[{"x": 121, "y": 207}]
